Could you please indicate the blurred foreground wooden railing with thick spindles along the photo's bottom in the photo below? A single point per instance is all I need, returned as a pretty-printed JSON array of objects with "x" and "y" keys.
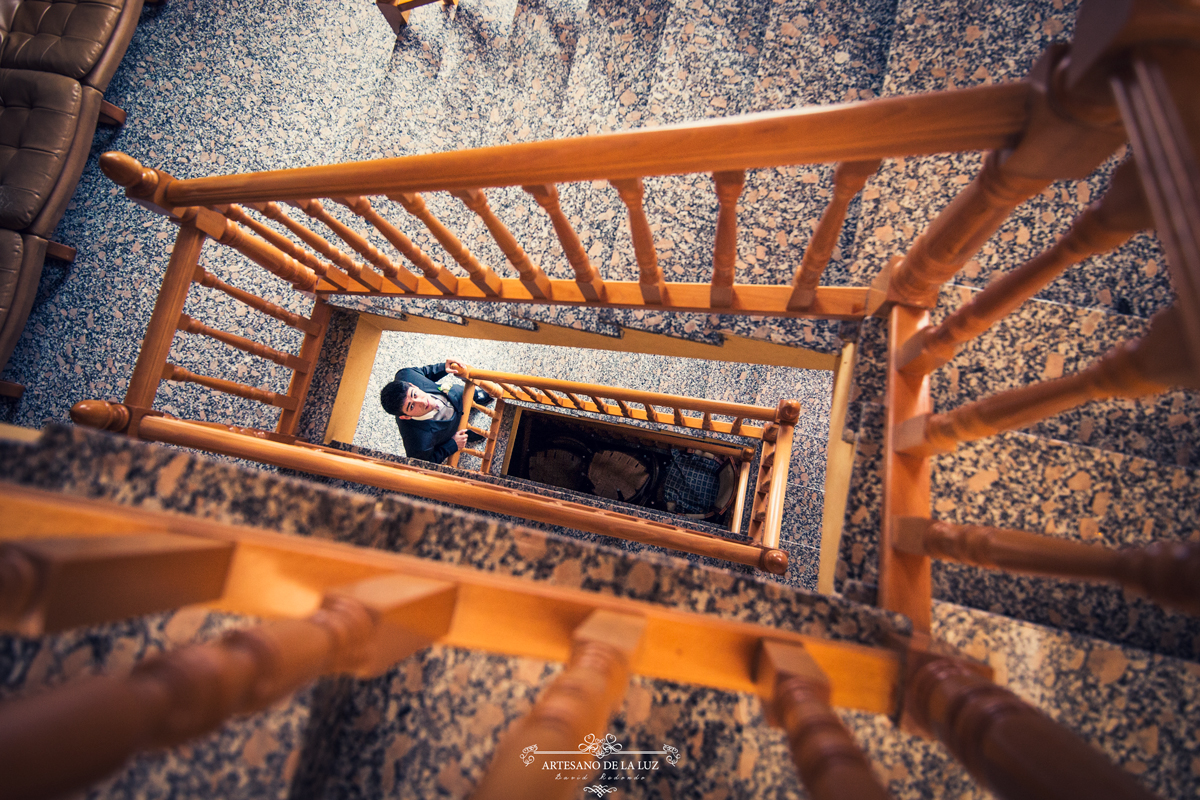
[{"x": 333, "y": 609}]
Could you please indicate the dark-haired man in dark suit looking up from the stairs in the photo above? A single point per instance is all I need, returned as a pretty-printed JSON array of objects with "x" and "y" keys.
[{"x": 428, "y": 414}]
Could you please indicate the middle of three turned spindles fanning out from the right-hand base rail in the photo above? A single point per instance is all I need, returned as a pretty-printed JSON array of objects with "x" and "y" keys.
[{"x": 1145, "y": 366}]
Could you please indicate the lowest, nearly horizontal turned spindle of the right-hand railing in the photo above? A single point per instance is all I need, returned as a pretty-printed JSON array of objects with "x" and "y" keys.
[{"x": 1166, "y": 573}]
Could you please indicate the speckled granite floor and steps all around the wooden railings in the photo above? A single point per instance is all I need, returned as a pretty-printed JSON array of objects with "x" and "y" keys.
[{"x": 231, "y": 86}]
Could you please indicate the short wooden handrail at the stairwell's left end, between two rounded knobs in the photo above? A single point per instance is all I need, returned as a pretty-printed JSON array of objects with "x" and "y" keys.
[{"x": 185, "y": 258}]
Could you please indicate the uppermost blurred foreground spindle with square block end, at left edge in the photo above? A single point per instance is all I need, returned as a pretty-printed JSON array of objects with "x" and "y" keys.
[{"x": 68, "y": 582}]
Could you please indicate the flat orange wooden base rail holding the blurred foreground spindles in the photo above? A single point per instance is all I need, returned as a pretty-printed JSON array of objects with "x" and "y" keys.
[{"x": 284, "y": 576}]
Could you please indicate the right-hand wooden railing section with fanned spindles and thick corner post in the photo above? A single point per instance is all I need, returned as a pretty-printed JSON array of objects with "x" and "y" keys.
[{"x": 1131, "y": 75}]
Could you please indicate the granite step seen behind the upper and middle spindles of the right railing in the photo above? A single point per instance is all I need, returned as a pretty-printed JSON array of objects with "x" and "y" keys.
[{"x": 1041, "y": 341}]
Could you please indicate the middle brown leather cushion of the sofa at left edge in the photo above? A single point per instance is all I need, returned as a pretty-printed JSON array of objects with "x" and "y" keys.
[{"x": 39, "y": 117}]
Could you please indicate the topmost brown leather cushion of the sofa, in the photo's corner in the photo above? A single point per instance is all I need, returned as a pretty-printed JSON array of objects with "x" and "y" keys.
[{"x": 62, "y": 37}]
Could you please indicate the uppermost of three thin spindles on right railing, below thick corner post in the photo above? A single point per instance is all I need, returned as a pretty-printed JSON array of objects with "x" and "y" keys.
[{"x": 1102, "y": 227}]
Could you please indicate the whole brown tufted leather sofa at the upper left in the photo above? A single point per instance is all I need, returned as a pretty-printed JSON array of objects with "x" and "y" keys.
[{"x": 57, "y": 58}]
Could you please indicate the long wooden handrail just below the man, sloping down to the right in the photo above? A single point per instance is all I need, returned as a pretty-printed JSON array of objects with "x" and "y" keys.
[{"x": 449, "y": 489}]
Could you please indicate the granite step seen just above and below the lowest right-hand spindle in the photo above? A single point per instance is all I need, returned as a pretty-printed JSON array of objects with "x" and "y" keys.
[{"x": 1029, "y": 484}]
